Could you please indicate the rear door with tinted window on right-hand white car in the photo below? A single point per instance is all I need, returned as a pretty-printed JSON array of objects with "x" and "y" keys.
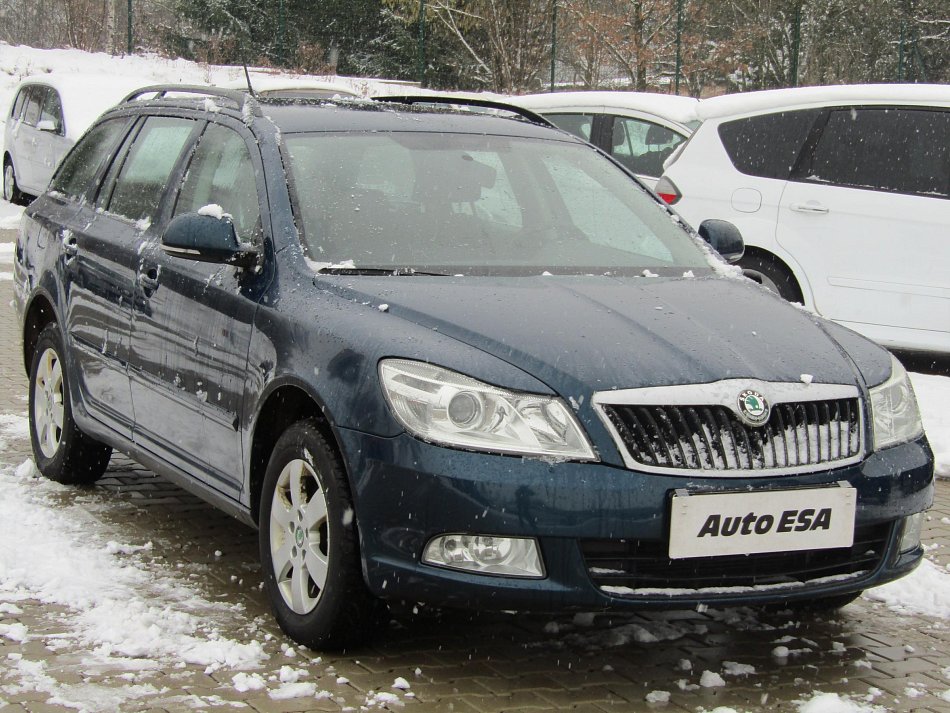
[{"x": 866, "y": 214}]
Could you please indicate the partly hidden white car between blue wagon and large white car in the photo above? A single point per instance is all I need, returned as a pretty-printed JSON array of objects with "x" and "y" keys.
[{"x": 639, "y": 129}]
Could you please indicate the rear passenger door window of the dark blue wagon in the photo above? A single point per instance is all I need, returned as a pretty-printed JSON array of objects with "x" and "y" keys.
[{"x": 148, "y": 166}]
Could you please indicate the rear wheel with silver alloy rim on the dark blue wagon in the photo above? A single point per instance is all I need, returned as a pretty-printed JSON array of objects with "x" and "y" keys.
[{"x": 61, "y": 451}]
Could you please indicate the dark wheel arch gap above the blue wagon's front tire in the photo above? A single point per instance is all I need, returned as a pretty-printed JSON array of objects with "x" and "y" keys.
[{"x": 284, "y": 405}]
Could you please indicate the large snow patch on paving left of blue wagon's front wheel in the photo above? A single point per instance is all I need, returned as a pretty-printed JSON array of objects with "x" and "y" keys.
[{"x": 119, "y": 605}]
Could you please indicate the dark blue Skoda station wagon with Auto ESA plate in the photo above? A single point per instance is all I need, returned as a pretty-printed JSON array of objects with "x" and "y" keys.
[{"x": 452, "y": 357}]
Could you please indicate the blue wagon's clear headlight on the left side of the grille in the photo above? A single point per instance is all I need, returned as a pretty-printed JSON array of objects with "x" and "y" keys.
[{"x": 443, "y": 406}]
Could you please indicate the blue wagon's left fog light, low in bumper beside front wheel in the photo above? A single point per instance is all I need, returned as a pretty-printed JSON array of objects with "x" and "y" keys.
[{"x": 486, "y": 554}]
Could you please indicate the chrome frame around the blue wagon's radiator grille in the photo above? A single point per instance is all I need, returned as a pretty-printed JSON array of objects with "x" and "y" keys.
[{"x": 725, "y": 393}]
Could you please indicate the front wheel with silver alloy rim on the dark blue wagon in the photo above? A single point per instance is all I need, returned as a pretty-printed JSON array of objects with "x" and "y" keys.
[{"x": 310, "y": 546}]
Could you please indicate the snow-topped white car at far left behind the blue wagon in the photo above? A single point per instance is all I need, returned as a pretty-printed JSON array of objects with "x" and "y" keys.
[{"x": 49, "y": 112}]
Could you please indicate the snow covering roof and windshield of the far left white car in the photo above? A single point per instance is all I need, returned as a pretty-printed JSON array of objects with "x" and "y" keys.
[{"x": 86, "y": 96}]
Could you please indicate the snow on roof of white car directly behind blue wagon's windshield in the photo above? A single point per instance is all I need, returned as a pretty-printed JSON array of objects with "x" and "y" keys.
[{"x": 669, "y": 106}]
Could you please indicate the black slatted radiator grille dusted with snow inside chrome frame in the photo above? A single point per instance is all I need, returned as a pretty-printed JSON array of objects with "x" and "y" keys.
[{"x": 800, "y": 435}]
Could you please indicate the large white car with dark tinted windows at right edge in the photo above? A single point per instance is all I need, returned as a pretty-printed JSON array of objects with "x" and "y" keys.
[{"x": 842, "y": 195}]
